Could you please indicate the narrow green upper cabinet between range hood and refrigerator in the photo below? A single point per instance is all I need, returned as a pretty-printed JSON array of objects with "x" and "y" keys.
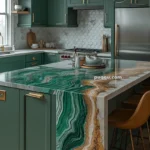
[{"x": 109, "y": 10}]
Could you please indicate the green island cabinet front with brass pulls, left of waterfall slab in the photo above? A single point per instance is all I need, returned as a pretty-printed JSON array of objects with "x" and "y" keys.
[{"x": 24, "y": 120}]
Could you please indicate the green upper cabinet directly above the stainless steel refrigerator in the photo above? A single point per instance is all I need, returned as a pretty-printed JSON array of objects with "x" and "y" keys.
[{"x": 131, "y": 3}]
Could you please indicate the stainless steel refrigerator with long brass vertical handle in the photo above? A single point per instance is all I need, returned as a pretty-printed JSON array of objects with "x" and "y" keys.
[{"x": 132, "y": 33}]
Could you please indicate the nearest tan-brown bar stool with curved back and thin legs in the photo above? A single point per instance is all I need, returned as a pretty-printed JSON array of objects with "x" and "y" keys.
[{"x": 129, "y": 119}]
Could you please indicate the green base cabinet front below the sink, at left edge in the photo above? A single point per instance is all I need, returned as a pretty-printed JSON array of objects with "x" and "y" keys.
[{"x": 12, "y": 63}]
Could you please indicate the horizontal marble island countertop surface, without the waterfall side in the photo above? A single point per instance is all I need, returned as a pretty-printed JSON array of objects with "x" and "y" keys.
[{"x": 62, "y": 76}]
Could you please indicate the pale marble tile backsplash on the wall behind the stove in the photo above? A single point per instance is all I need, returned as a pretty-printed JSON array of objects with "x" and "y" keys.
[{"x": 87, "y": 35}]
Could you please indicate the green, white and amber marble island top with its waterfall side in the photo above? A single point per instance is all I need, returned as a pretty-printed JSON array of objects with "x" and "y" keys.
[{"x": 79, "y": 116}]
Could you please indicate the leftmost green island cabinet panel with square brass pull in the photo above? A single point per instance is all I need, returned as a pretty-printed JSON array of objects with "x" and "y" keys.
[{"x": 9, "y": 119}]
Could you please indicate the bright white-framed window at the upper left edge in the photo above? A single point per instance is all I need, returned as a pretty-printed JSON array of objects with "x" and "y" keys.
[{"x": 4, "y": 21}]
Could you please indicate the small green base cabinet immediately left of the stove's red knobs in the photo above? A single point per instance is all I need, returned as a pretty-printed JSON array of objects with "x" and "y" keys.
[{"x": 51, "y": 58}]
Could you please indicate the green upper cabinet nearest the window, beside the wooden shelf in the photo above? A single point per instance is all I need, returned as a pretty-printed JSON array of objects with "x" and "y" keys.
[{"x": 38, "y": 13}]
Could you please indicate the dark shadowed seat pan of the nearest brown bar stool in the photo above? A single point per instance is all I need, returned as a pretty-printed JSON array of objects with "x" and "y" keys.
[{"x": 119, "y": 116}]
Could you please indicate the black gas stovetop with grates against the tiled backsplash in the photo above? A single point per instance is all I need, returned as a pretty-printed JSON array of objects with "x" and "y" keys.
[{"x": 83, "y": 50}]
